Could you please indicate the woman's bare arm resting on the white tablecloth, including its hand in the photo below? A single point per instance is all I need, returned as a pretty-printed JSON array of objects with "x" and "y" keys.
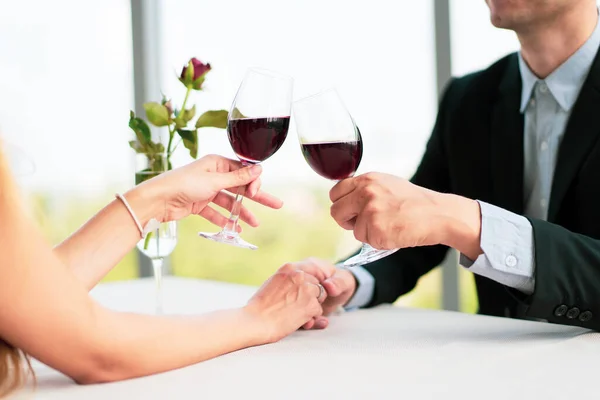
[{"x": 46, "y": 312}]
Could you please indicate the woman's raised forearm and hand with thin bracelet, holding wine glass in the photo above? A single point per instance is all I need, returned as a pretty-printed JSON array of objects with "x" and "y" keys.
[{"x": 104, "y": 240}]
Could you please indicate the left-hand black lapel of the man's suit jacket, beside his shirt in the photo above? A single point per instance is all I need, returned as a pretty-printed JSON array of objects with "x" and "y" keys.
[{"x": 506, "y": 142}]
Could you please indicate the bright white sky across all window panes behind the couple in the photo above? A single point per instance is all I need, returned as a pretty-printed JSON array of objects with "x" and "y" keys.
[{"x": 66, "y": 77}]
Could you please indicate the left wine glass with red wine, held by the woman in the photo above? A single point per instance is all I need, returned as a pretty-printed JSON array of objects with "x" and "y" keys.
[{"x": 257, "y": 127}]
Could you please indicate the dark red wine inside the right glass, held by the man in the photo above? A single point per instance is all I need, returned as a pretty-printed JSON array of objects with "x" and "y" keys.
[{"x": 333, "y": 160}]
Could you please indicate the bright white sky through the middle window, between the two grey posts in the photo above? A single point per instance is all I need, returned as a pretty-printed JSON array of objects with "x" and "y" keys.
[{"x": 380, "y": 58}]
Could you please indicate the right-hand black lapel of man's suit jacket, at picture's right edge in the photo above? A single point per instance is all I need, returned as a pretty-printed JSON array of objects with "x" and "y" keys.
[{"x": 580, "y": 136}]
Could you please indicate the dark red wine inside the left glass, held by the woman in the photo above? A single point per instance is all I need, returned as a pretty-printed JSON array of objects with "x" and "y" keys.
[{"x": 255, "y": 139}]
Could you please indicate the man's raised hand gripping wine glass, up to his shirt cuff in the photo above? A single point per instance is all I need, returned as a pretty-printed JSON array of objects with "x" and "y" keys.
[{"x": 390, "y": 212}]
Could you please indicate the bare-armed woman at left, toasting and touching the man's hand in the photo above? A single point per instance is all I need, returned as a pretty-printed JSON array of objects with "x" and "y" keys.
[{"x": 46, "y": 312}]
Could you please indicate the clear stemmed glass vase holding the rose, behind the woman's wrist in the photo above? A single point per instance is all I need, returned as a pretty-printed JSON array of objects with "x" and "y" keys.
[{"x": 161, "y": 242}]
